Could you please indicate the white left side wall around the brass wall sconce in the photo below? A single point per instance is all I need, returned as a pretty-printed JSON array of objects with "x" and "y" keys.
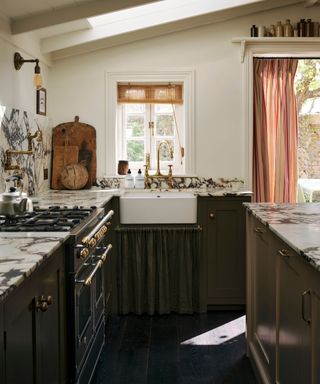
[{"x": 16, "y": 87}]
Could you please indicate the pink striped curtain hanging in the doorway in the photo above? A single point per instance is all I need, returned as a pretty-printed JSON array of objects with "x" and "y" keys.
[{"x": 275, "y": 131}]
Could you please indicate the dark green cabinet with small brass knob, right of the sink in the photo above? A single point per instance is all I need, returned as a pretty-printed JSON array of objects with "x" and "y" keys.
[{"x": 223, "y": 222}]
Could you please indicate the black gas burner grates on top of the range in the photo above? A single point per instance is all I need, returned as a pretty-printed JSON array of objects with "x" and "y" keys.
[{"x": 52, "y": 219}]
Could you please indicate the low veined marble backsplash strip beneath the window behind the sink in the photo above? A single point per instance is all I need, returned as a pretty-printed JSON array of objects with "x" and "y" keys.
[{"x": 177, "y": 183}]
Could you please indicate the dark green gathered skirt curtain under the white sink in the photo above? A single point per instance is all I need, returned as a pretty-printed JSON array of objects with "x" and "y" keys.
[{"x": 158, "y": 269}]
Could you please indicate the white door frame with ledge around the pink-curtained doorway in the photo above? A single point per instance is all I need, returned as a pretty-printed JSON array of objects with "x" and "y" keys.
[{"x": 264, "y": 49}]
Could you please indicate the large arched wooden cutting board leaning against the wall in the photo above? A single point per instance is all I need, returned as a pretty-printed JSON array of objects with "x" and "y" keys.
[{"x": 75, "y": 134}]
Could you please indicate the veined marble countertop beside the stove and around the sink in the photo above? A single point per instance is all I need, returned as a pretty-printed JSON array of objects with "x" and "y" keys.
[{"x": 21, "y": 253}]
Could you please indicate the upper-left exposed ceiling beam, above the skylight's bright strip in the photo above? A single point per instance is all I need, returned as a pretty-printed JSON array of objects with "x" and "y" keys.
[{"x": 71, "y": 13}]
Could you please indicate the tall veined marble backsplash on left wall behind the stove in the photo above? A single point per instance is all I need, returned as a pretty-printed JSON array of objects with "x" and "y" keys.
[{"x": 15, "y": 124}]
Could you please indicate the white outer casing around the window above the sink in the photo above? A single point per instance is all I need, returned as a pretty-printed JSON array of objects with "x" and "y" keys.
[{"x": 179, "y": 75}]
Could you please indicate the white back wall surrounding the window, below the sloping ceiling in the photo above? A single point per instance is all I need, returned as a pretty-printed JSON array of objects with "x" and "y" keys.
[{"x": 77, "y": 86}]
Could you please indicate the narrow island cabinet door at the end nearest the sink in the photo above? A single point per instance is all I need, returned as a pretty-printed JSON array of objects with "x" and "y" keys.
[{"x": 264, "y": 298}]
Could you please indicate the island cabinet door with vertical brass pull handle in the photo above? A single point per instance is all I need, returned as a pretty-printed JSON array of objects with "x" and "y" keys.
[{"x": 294, "y": 331}]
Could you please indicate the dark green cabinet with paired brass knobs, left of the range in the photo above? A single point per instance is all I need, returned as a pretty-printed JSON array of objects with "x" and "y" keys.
[{"x": 34, "y": 329}]
